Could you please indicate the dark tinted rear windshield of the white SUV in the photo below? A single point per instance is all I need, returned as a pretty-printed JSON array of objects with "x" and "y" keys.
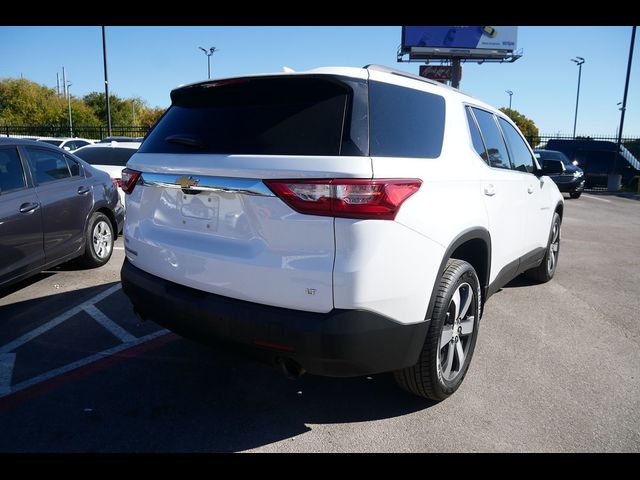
[{"x": 301, "y": 115}]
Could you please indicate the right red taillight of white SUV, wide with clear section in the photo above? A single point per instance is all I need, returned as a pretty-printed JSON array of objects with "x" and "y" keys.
[{"x": 346, "y": 198}]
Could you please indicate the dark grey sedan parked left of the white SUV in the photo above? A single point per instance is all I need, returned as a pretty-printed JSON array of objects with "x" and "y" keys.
[{"x": 54, "y": 207}]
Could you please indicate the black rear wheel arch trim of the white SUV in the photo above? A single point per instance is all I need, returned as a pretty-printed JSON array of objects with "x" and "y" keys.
[{"x": 473, "y": 246}]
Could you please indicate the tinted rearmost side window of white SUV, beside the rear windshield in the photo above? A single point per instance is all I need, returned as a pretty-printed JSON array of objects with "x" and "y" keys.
[{"x": 405, "y": 122}]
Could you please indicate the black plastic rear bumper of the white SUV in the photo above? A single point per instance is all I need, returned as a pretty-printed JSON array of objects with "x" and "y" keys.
[{"x": 340, "y": 343}]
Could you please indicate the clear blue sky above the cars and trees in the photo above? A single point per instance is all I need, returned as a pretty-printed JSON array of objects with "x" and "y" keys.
[{"x": 150, "y": 61}]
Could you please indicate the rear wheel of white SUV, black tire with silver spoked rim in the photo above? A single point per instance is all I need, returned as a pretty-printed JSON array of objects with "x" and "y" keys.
[{"x": 451, "y": 338}]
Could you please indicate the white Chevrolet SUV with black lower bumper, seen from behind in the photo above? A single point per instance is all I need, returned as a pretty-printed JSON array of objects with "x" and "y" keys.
[{"x": 346, "y": 221}]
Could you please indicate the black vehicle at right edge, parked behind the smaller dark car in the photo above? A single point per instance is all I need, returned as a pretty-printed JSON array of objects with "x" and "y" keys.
[{"x": 596, "y": 158}]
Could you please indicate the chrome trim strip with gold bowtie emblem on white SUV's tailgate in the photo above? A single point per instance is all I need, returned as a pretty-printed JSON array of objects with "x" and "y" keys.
[{"x": 246, "y": 186}]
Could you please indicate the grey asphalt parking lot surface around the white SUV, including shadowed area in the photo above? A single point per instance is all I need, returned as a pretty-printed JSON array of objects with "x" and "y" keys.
[{"x": 556, "y": 368}]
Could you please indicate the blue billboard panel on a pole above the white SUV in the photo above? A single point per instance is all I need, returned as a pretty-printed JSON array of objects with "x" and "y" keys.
[{"x": 477, "y": 37}]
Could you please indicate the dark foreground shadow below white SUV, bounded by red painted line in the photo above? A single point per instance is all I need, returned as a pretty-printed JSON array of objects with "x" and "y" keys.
[{"x": 185, "y": 397}]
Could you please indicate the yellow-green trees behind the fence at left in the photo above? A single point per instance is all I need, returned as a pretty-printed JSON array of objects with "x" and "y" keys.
[{"x": 24, "y": 102}]
